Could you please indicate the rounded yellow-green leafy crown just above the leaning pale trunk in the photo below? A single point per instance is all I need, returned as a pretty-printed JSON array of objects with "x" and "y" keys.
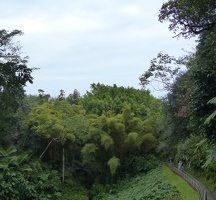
[{"x": 54, "y": 121}]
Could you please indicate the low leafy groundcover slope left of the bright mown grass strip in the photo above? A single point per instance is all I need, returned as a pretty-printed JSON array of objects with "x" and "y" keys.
[{"x": 152, "y": 186}]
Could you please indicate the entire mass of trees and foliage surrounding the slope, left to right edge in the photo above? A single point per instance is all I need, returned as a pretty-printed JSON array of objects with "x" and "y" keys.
[{"x": 75, "y": 147}]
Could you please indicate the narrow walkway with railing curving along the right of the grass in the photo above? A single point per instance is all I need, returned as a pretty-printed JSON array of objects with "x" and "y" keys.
[{"x": 204, "y": 193}]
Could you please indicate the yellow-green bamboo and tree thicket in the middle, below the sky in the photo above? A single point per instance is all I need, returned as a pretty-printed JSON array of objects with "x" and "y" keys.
[{"x": 107, "y": 134}]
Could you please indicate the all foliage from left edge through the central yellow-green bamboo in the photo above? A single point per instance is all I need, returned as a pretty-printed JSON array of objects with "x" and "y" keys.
[{"x": 59, "y": 148}]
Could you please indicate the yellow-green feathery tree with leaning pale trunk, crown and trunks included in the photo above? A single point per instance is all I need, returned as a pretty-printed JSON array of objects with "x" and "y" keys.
[{"x": 55, "y": 129}]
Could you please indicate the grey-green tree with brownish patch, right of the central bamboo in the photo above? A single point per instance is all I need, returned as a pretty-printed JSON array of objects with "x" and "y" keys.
[{"x": 174, "y": 124}]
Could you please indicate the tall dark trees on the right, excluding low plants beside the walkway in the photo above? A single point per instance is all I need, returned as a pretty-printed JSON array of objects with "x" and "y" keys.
[{"x": 186, "y": 103}]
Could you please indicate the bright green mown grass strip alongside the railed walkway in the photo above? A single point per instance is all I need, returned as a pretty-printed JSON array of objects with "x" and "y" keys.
[{"x": 186, "y": 190}]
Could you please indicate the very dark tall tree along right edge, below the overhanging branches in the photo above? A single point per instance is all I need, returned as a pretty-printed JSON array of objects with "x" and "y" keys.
[{"x": 205, "y": 79}]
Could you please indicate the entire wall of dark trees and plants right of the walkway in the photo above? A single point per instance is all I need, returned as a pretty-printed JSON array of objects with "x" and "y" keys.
[{"x": 187, "y": 126}]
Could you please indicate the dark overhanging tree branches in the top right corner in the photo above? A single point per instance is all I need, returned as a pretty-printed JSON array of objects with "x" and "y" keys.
[{"x": 190, "y": 17}]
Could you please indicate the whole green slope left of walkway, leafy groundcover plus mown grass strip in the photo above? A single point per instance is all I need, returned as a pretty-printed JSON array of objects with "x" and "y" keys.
[{"x": 153, "y": 185}]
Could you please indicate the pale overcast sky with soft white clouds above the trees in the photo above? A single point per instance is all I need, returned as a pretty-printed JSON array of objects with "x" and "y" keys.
[{"x": 79, "y": 42}]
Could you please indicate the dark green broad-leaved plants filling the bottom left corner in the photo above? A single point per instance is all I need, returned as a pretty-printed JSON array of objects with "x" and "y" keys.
[{"x": 22, "y": 178}]
